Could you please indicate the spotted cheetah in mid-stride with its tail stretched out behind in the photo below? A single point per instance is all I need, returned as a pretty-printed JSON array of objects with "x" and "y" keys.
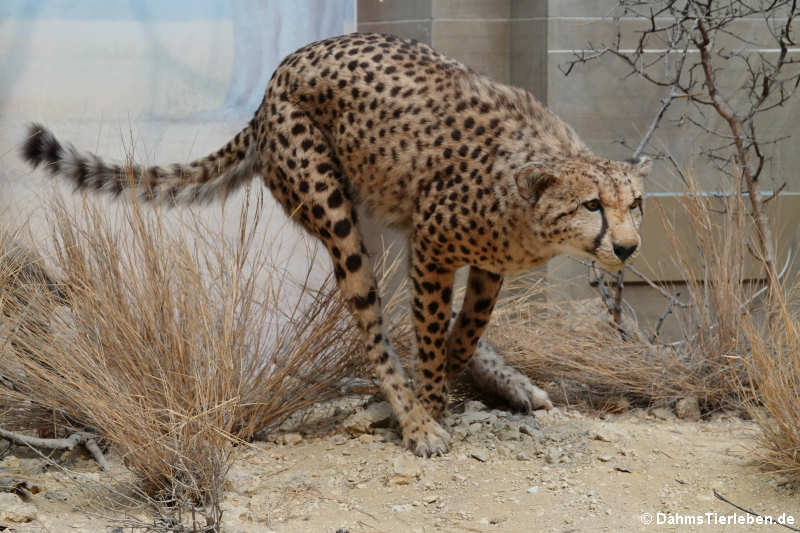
[{"x": 477, "y": 174}]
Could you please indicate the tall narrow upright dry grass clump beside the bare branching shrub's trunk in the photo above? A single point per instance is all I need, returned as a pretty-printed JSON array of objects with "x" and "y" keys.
[{"x": 715, "y": 270}]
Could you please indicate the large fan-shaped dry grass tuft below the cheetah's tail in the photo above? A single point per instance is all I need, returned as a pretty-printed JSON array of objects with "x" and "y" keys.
[{"x": 170, "y": 348}]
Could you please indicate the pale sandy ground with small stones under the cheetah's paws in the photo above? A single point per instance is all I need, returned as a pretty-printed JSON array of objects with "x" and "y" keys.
[{"x": 558, "y": 471}]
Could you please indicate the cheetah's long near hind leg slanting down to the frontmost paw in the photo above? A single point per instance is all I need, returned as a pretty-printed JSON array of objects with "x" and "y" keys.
[{"x": 313, "y": 192}]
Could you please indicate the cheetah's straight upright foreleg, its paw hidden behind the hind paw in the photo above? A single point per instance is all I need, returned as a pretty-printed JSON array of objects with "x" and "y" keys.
[{"x": 432, "y": 291}]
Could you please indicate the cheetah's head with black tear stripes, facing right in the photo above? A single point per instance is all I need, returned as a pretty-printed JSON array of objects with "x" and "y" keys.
[{"x": 588, "y": 207}]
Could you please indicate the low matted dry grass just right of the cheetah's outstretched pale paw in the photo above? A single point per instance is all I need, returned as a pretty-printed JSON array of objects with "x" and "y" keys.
[{"x": 575, "y": 352}]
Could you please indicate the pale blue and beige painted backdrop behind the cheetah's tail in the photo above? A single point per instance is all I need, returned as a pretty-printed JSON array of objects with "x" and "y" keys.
[{"x": 171, "y": 80}]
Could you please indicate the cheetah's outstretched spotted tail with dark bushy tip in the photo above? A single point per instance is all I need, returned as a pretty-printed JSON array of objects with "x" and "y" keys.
[{"x": 201, "y": 181}]
